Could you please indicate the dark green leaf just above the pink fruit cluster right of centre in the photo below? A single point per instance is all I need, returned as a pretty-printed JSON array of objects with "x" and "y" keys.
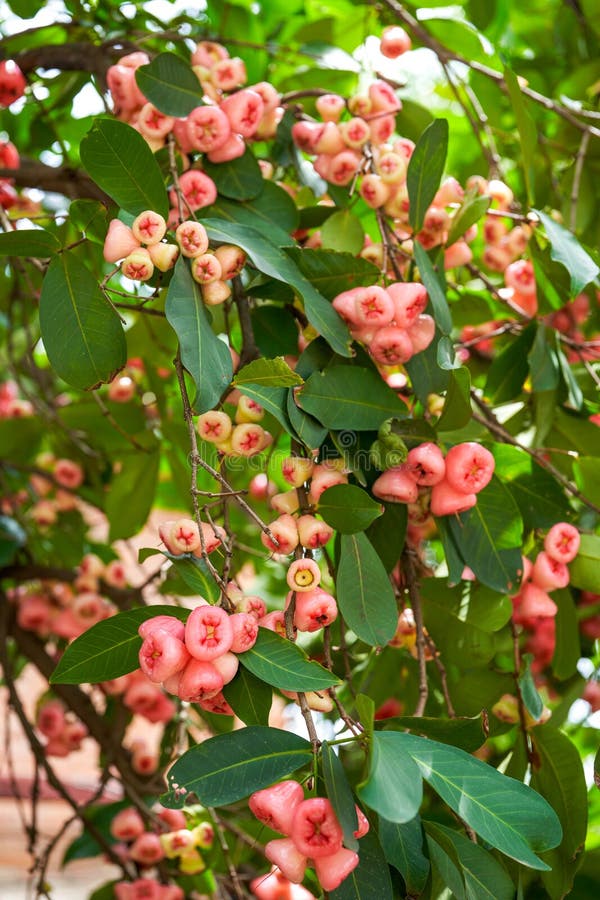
[{"x": 331, "y": 273}]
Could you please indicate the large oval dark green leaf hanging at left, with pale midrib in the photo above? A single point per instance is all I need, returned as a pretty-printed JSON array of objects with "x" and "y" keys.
[{"x": 82, "y": 333}]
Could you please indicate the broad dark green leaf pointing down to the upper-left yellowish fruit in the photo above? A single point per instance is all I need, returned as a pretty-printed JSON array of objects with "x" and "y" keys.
[{"x": 120, "y": 161}]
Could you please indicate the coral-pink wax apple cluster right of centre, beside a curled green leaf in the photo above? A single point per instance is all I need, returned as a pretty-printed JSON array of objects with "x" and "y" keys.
[{"x": 454, "y": 480}]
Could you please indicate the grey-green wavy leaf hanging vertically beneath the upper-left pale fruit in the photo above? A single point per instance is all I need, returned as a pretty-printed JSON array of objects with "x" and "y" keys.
[{"x": 206, "y": 358}]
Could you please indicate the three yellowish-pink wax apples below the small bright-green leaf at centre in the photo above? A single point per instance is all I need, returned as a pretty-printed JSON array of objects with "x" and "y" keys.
[{"x": 244, "y": 436}]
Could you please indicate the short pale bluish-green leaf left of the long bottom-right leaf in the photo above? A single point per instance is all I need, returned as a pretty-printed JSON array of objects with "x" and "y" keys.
[{"x": 393, "y": 787}]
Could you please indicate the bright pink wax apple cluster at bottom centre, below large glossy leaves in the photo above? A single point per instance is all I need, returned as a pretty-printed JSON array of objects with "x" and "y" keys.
[{"x": 312, "y": 833}]
